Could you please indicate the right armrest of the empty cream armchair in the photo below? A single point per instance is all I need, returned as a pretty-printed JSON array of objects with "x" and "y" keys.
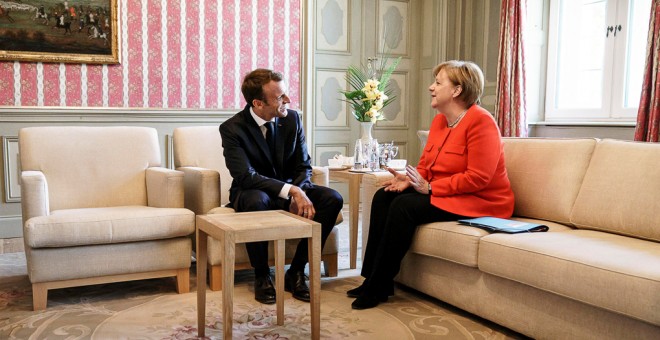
[{"x": 164, "y": 188}]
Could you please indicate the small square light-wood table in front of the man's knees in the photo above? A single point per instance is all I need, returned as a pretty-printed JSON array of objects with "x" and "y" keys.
[{"x": 275, "y": 225}]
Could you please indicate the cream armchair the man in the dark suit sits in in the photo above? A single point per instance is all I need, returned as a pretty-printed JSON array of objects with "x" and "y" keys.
[{"x": 198, "y": 154}]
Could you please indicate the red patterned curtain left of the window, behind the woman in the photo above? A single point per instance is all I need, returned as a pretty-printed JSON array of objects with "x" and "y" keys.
[{"x": 510, "y": 105}]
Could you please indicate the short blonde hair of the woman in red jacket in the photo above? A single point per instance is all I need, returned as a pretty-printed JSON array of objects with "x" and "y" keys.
[{"x": 466, "y": 74}]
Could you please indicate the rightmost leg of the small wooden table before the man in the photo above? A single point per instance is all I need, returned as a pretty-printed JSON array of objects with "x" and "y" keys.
[{"x": 314, "y": 246}]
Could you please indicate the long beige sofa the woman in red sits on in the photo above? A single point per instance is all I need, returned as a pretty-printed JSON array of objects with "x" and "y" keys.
[{"x": 594, "y": 275}]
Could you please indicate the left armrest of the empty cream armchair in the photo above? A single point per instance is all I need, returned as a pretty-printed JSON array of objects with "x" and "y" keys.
[{"x": 34, "y": 194}]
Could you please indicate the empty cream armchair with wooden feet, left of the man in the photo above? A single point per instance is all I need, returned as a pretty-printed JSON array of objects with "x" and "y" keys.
[{"x": 98, "y": 208}]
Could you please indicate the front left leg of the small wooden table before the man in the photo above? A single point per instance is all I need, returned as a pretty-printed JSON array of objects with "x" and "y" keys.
[{"x": 229, "y": 253}]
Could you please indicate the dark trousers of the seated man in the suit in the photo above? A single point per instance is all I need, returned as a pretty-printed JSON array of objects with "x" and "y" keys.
[{"x": 327, "y": 203}]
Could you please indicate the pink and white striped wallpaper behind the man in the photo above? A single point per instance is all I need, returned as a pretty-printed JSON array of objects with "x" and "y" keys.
[{"x": 174, "y": 54}]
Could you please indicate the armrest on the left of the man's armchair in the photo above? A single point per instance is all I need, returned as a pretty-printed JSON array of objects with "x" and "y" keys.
[{"x": 202, "y": 189}]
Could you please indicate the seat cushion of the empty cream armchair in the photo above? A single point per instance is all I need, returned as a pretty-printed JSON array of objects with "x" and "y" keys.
[{"x": 77, "y": 227}]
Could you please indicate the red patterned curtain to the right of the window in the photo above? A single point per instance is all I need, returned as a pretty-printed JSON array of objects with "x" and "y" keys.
[{"x": 648, "y": 114}]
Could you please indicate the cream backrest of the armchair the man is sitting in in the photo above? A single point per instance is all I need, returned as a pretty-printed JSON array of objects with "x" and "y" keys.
[{"x": 201, "y": 146}]
